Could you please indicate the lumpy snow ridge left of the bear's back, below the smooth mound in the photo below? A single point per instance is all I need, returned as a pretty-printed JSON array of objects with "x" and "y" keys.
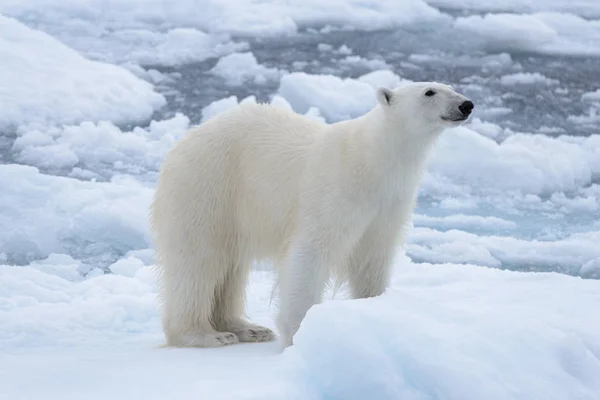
[{"x": 100, "y": 150}]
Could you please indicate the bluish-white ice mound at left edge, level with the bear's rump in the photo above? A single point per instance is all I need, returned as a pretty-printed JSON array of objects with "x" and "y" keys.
[{"x": 85, "y": 218}]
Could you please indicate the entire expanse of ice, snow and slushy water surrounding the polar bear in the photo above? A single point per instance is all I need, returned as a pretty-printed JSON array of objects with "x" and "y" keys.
[{"x": 93, "y": 94}]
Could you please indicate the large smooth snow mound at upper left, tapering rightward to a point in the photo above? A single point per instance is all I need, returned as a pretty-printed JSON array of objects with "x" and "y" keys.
[{"x": 44, "y": 81}]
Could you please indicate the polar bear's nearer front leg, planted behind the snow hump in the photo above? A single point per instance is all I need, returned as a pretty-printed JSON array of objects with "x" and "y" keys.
[{"x": 301, "y": 286}]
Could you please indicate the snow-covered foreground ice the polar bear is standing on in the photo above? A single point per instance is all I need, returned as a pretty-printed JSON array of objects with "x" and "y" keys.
[{"x": 463, "y": 332}]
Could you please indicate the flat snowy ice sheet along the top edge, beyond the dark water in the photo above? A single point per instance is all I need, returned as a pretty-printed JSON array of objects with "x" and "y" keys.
[{"x": 126, "y": 30}]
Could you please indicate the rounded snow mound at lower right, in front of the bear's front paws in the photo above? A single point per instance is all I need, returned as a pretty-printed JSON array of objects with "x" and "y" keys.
[{"x": 458, "y": 334}]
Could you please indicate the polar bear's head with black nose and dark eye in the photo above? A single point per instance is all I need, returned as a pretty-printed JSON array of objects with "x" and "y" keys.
[{"x": 424, "y": 106}]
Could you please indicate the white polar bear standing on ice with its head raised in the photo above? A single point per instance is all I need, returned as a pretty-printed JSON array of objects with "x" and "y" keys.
[{"x": 318, "y": 200}]
